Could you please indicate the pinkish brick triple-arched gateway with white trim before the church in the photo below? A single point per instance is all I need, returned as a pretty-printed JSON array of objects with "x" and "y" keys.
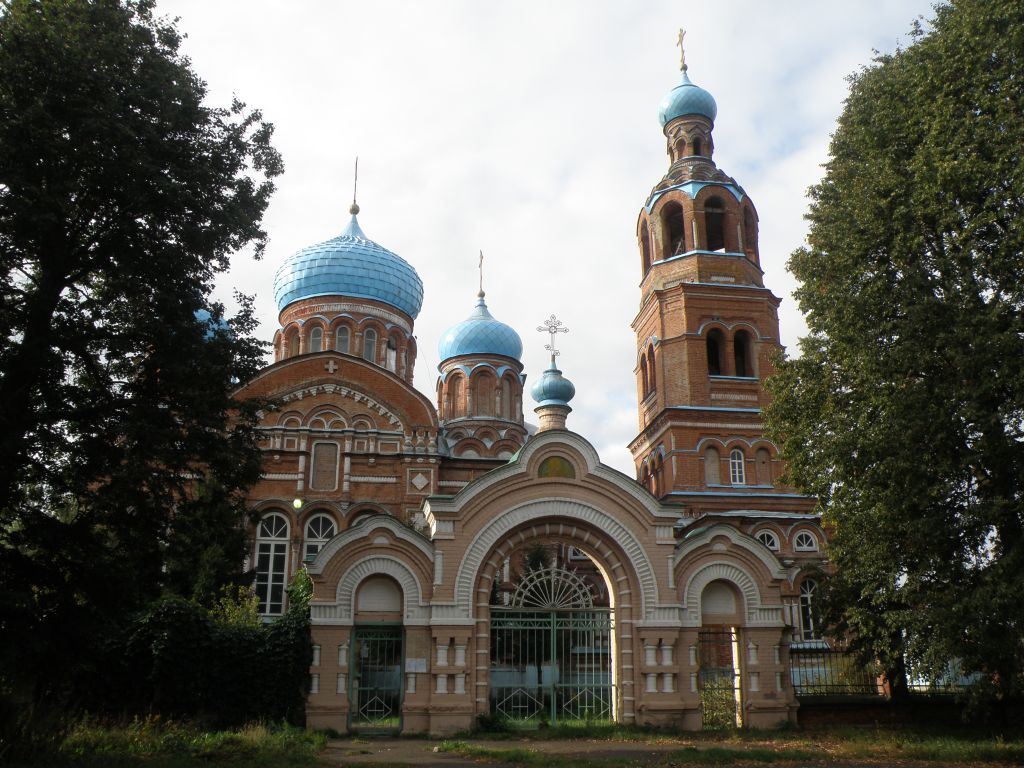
[{"x": 540, "y": 598}]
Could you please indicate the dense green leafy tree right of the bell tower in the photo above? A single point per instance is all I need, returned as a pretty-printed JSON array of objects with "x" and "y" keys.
[{"x": 905, "y": 413}]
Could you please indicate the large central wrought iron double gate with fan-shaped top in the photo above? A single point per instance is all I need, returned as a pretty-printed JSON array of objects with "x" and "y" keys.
[{"x": 551, "y": 653}]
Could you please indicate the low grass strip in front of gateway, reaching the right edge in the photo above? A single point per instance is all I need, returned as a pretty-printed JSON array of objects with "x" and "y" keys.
[{"x": 850, "y": 745}]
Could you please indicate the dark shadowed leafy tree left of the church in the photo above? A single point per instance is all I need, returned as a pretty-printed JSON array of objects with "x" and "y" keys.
[{"x": 122, "y": 456}]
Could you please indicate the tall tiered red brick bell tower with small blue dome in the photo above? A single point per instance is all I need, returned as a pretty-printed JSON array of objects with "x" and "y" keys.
[{"x": 707, "y": 329}]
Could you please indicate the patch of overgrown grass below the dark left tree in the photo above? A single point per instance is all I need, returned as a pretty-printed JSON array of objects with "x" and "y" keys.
[{"x": 157, "y": 744}]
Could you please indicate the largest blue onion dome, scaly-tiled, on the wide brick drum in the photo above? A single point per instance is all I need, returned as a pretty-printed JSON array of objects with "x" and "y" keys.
[{"x": 351, "y": 265}]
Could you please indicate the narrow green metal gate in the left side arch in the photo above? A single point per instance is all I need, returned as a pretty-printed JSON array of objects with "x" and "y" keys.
[{"x": 376, "y": 686}]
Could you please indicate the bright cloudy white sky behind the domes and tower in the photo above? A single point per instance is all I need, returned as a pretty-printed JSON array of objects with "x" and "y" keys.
[{"x": 530, "y": 131}]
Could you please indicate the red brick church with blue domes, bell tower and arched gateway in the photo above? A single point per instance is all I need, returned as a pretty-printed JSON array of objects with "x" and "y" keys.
[{"x": 471, "y": 567}]
